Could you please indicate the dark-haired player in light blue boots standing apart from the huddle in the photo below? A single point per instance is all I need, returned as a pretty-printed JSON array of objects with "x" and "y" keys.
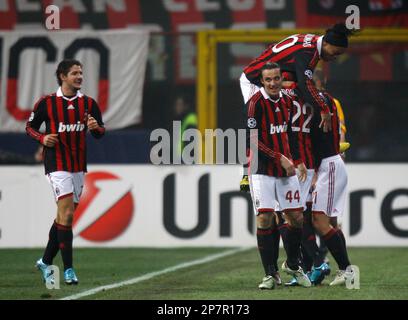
[{"x": 67, "y": 115}]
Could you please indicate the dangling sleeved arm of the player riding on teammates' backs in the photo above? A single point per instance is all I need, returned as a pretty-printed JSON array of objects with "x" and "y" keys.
[{"x": 304, "y": 75}]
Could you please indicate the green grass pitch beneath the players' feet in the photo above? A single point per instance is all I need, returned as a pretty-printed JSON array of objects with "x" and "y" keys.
[{"x": 382, "y": 275}]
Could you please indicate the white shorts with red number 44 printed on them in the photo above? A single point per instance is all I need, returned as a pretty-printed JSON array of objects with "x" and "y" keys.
[{"x": 270, "y": 193}]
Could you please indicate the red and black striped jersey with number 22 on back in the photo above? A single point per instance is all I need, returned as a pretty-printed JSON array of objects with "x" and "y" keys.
[{"x": 302, "y": 114}]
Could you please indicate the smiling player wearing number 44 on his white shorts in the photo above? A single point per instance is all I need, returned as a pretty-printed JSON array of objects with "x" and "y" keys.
[{"x": 274, "y": 182}]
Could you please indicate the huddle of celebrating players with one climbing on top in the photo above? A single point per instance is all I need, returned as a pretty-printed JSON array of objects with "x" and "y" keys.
[{"x": 298, "y": 183}]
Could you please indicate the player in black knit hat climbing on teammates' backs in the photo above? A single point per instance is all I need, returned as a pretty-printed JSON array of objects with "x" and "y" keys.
[{"x": 298, "y": 56}]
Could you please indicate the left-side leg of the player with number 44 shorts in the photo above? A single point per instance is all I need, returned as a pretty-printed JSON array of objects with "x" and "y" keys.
[{"x": 262, "y": 189}]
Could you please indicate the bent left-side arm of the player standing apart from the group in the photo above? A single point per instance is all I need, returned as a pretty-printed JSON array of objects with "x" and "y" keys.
[{"x": 37, "y": 117}]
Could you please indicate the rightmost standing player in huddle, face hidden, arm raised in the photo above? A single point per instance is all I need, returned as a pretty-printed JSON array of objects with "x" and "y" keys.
[{"x": 329, "y": 195}]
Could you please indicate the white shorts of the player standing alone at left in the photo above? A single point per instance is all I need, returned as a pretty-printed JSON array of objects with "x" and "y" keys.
[{"x": 65, "y": 184}]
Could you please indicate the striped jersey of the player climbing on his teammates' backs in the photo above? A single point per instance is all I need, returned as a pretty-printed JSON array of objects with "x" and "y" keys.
[{"x": 297, "y": 56}]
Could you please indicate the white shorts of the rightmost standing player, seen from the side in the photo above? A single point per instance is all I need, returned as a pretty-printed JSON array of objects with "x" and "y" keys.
[{"x": 329, "y": 197}]
